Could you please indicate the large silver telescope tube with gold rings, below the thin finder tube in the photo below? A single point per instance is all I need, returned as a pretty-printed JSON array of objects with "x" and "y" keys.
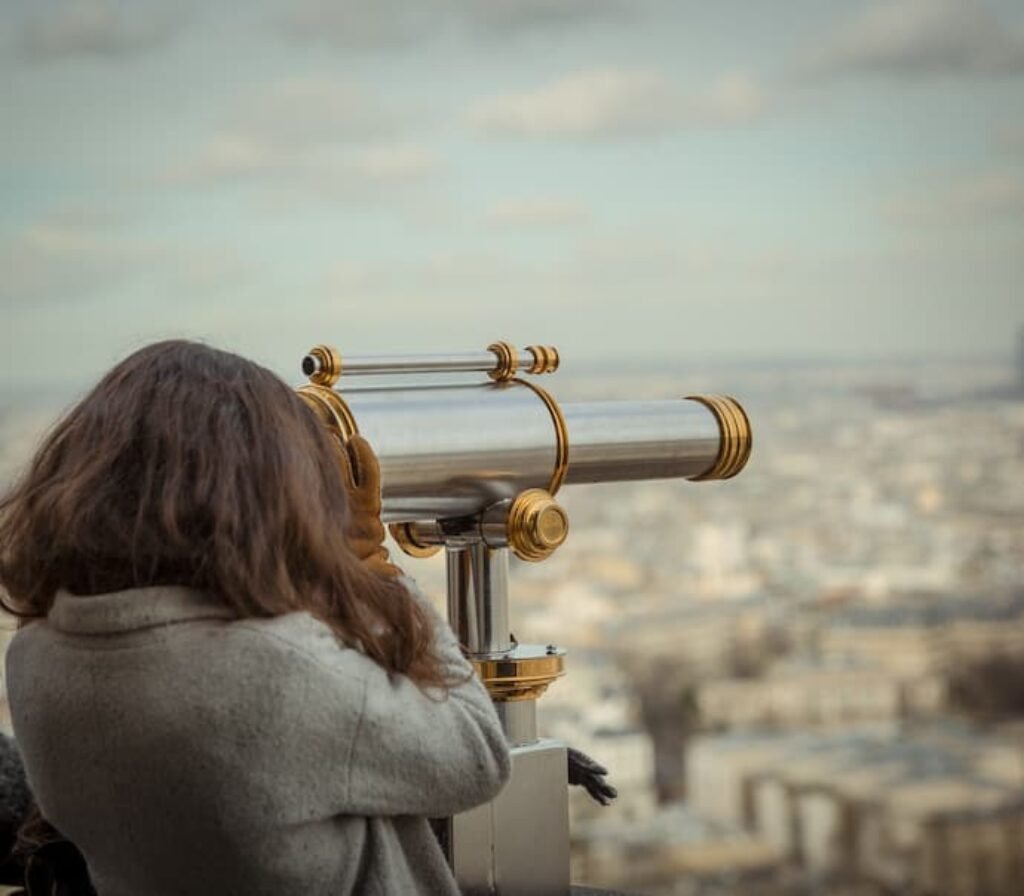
[{"x": 453, "y": 451}]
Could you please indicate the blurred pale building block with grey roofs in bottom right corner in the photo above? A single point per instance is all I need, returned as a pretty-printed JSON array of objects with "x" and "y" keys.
[{"x": 938, "y": 807}]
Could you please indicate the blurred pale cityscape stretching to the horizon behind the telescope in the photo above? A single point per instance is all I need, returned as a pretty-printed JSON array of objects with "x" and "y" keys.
[{"x": 808, "y": 679}]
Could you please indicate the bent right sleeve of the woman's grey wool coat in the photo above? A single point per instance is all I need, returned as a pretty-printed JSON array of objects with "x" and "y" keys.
[{"x": 431, "y": 753}]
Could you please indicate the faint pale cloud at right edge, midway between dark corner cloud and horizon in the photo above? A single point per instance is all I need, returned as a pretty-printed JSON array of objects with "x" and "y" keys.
[{"x": 982, "y": 197}]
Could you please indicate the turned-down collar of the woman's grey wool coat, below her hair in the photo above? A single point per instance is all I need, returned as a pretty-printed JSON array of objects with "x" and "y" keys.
[{"x": 135, "y": 609}]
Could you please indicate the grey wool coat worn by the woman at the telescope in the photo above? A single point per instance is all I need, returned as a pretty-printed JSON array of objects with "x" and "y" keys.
[{"x": 186, "y": 751}]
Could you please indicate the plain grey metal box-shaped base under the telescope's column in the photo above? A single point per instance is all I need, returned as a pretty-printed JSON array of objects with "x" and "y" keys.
[{"x": 520, "y": 842}]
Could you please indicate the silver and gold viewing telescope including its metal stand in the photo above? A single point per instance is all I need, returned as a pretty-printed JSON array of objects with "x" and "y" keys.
[{"x": 473, "y": 453}]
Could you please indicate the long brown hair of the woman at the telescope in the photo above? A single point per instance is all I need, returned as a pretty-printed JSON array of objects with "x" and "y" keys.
[{"x": 191, "y": 466}]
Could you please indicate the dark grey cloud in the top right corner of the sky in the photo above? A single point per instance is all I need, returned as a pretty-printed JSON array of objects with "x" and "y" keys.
[{"x": 921, "y": 37}]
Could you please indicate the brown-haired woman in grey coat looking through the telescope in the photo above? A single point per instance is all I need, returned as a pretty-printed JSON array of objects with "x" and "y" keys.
[{"x": 224, "y": 686}]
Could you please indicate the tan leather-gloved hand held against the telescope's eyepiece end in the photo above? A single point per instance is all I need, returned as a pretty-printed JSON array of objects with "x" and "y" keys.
[{"x": 362, "y": 477}]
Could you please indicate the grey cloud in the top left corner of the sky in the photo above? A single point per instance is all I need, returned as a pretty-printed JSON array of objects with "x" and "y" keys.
[{"x": 104, "y": 29}]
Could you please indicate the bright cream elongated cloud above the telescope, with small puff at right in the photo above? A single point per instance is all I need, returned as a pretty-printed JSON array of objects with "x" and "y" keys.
[{"x": 617, "y": 102}]
